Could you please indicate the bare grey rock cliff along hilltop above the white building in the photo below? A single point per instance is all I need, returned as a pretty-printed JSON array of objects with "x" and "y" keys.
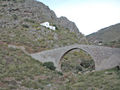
[{"x": 39, "y": 12}]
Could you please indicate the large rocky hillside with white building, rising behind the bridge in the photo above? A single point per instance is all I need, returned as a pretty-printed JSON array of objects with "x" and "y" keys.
[{"x": 20, "y": 25}]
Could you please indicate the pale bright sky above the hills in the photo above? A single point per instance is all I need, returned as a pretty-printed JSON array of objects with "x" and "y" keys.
[{"x": 89, "y": 15}]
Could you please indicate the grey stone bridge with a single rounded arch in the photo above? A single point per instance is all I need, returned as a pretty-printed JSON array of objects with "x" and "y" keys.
[{"x": 104, "y": 57}]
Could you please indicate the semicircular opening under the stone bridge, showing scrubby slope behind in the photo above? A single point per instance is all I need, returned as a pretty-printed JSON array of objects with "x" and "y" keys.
[{"x": 76, "y": 60}]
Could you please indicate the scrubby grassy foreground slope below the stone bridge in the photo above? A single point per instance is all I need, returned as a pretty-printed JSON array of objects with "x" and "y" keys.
[{"x": 19, "y": 71}]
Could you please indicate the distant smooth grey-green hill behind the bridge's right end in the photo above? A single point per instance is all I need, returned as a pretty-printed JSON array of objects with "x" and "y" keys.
[{"x": 108, "y": 36}]
